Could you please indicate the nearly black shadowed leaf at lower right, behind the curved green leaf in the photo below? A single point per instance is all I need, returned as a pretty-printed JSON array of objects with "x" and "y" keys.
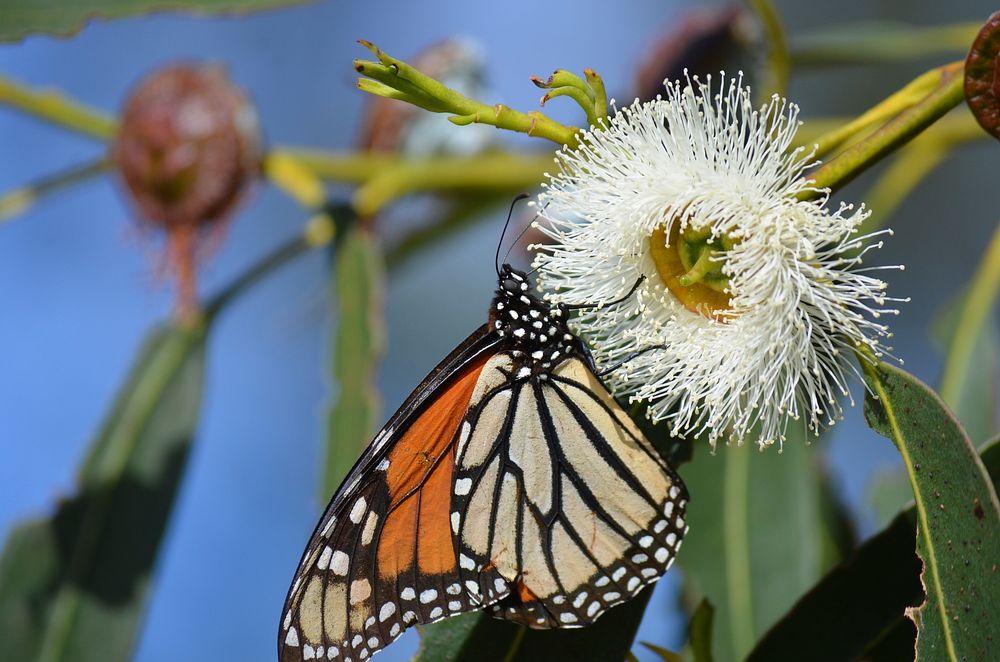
[{"x": 862, "y": 600}]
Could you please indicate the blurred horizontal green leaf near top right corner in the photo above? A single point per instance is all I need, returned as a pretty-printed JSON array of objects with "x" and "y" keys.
[{"x": 881, "y": 42}]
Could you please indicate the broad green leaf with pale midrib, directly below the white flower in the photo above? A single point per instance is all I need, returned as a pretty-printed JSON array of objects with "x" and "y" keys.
[{"x": 759, "y": 537}]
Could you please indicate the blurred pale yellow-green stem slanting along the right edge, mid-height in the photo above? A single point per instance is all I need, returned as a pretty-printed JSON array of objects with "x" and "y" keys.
[{"x": 976, "y": 309}]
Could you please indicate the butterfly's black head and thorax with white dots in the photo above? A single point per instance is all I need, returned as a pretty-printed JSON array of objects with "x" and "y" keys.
[{"x": 536, "y": 331}]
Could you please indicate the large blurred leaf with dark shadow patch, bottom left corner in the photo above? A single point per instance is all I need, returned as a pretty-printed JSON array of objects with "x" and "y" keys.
[{"x": 73, "y": 586}]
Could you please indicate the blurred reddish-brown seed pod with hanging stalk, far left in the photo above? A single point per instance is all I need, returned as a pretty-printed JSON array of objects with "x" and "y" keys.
[{"x": 187, "y": 149}]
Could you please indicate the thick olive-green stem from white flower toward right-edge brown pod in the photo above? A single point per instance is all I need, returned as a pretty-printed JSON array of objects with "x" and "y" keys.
[{"x": 946, "y": 94}]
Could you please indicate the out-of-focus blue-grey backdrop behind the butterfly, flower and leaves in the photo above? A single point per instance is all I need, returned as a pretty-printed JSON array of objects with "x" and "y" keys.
[{"x": 79, "y": 287}]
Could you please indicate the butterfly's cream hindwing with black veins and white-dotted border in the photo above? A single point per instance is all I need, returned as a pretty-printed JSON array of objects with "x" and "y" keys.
[{"x": 558, "y": 491}]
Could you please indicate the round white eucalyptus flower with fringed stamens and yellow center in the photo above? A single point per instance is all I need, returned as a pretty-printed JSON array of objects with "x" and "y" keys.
[{"x": 753, "y": 299}]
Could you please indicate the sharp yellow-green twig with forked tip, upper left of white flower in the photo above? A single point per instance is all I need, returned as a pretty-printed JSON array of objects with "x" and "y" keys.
[{"x": 404, "y": 82}]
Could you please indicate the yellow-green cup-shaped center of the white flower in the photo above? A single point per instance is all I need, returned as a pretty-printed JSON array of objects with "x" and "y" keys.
[{"x": 690, "y": 267}]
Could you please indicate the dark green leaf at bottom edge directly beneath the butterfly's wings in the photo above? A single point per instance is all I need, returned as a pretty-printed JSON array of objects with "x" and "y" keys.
[{"x": 481, "y": 638}]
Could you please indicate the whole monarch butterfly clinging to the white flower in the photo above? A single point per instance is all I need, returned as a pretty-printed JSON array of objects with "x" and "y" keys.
[{"x": 509, "y": 481}]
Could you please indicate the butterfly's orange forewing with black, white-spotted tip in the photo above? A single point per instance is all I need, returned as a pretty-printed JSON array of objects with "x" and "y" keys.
[{"x": 383, "y": 557}]
